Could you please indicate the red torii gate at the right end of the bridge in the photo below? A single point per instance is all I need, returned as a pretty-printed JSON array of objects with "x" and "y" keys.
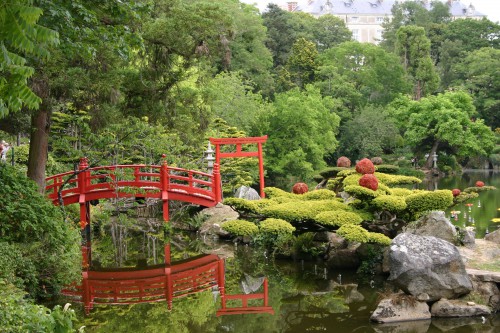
[{"x": 239, "y": 153}]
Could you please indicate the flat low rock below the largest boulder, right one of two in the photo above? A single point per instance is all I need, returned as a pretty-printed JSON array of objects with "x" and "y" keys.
[{"x": 458, "y": 308}]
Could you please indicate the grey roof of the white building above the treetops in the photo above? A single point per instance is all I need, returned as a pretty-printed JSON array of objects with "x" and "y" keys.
[{"x": 373, "y": 7}]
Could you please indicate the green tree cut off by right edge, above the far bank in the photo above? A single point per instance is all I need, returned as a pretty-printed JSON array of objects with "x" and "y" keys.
[{"x": 478, "y": 74}]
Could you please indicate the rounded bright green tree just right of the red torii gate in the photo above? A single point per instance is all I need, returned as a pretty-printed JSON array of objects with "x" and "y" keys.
[{"x": 301, "y": 129}]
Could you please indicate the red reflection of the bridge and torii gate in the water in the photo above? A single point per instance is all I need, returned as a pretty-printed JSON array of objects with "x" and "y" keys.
[{"x": 163, "y": 282}]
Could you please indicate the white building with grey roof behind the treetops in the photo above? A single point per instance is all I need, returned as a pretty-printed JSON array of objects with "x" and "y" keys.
[{"x": 364, "y": 17}]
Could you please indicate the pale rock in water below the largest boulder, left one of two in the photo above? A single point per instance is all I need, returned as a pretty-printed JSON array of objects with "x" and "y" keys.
[{"x": 400, "y": 307}]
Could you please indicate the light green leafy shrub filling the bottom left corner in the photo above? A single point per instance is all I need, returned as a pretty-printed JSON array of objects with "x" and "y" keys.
[{"x": 19, "y": 315}]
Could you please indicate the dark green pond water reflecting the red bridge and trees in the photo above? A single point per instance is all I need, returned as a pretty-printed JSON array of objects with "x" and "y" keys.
[{"x": 280, "y": 295}]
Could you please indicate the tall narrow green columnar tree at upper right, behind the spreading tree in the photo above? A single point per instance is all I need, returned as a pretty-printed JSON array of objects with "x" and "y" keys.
[{"x": 414, "y": 49}]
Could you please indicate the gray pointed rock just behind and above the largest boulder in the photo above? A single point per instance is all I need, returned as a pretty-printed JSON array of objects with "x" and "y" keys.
[{"x": 433, "y": 224}]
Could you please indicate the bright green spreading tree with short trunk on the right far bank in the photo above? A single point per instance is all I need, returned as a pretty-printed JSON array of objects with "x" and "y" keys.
[{"x": 443, "y": 122}]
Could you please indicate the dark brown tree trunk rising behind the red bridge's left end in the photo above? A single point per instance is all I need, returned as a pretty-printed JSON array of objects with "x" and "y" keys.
[{"x": 39, "y": 146}]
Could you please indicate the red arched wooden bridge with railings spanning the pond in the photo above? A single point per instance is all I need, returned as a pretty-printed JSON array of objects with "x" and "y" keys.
[{"x": 145, "y": 181}]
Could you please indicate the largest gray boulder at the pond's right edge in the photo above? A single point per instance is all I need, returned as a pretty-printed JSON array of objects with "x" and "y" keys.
[{"x": 426, "y": 264}]
